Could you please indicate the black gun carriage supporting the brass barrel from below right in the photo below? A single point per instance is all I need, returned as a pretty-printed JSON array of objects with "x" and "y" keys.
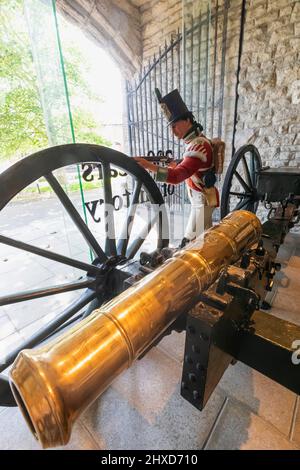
[{"x": 227, "y": 324}]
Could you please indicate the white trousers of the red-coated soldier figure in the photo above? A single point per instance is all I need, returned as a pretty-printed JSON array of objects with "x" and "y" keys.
[{"x": 200, "y": 218}]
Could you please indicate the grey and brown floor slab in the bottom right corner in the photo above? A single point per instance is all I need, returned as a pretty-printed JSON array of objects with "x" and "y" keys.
[{"x": 239, "y": 428}]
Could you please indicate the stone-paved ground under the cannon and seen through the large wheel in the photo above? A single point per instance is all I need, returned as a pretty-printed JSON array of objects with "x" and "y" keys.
[{"x": 143, "y": 408}]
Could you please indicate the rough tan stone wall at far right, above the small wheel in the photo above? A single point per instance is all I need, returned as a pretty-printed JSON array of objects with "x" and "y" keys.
[{"x": 269, "y": 89}]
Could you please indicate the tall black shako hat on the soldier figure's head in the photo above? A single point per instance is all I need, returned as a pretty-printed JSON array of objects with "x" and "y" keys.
[{"x": 173, "y": 106}]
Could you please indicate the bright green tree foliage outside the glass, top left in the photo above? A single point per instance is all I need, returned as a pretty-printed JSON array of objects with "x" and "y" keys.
[{"x": 22, "y": 123}]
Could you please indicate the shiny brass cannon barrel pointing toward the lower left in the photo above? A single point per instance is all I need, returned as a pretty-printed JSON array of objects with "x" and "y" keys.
[{"x": 54, "y": 384}]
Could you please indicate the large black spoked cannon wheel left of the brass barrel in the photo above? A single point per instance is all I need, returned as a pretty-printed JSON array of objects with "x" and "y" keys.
[{"x": 106, "y": 260}]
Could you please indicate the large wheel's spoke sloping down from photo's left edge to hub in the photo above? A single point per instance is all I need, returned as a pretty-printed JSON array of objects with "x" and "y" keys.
[{"x": 50, "y": 255}]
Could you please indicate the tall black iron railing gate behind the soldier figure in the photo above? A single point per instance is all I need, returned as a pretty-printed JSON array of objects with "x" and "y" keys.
[{"x": 194, "y": 62}]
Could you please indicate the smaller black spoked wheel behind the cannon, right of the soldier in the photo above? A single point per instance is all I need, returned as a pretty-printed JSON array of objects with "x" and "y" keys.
[{"x": 240, "y": 183}]
